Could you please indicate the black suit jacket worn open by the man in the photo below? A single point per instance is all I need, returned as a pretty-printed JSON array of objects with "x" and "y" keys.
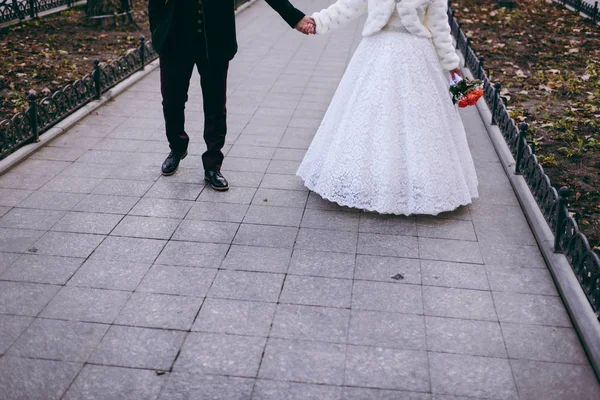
[{"x": 219, "y": 23}]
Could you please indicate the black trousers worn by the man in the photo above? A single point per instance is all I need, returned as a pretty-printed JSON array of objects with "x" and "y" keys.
[{"x": 176, "y": 69}]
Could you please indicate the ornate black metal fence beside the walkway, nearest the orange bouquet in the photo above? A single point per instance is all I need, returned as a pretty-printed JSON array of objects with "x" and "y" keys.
[{"x": 553, "y": 203}]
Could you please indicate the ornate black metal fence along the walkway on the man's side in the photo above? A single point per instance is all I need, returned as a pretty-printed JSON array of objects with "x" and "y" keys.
[{"x": 26, "y": 127}]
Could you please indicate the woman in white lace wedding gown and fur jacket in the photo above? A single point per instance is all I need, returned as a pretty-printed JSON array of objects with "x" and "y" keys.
[{"x": 391, "y": 140}]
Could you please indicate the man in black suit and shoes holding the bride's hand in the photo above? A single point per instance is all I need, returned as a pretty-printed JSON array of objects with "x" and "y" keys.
[{"x": 201, "y": 33}]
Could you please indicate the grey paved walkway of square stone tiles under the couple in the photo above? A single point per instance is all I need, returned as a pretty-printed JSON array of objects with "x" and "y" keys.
[{"x": 116, "y": 283}]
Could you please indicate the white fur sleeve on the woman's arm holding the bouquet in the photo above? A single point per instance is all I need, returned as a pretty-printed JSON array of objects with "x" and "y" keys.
[{"x": 436, "y": 20}]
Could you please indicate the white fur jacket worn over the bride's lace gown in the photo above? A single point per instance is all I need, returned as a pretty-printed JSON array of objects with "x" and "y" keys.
[{"x": 423, "y": 18}]
